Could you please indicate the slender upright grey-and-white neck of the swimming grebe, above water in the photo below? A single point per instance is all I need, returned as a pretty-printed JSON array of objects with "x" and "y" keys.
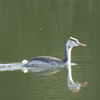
[{"x": 67, "y": 59}]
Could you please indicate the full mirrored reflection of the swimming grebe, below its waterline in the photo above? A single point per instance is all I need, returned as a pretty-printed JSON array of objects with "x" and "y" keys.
[{"x": 73, "y": 86}]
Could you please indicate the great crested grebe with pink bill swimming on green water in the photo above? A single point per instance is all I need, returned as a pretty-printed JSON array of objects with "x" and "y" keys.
[{"x": 47, "y": 61}]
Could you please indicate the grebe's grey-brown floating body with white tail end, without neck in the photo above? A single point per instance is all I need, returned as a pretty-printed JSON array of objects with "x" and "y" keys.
[{"x": 43, "y": 61}]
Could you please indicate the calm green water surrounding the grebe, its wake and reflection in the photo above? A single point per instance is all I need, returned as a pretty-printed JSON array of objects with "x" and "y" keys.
[{"x": 31, "y": 28}]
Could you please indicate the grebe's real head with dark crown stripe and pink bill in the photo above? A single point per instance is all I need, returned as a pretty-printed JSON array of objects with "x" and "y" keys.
[{"x": 74, "y": 42}]
